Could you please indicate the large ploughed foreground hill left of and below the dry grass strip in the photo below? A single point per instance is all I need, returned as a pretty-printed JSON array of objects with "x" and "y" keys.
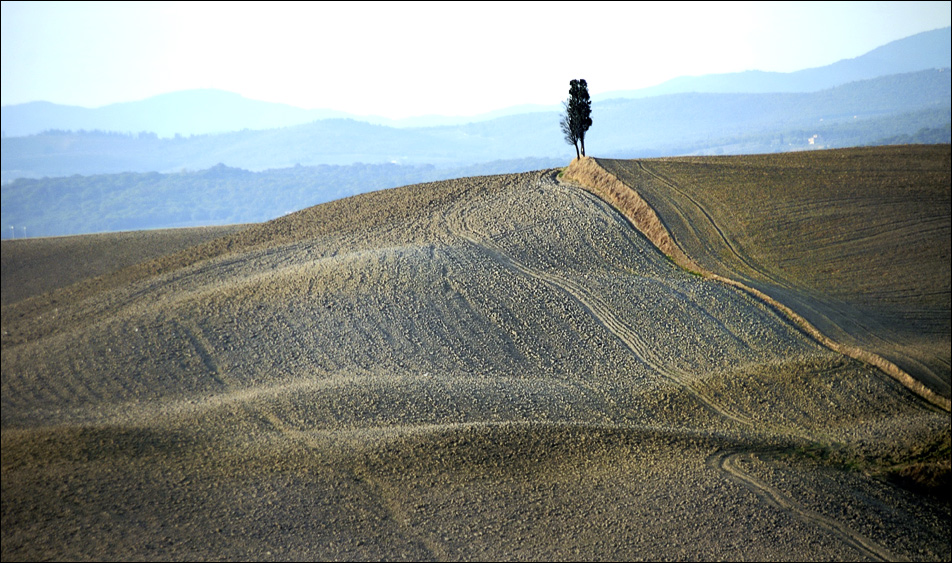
[{"x": 486, "y": 368}]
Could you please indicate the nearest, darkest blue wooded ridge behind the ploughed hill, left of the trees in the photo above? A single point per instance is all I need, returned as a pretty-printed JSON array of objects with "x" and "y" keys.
[{"x": 216, "y": 196}]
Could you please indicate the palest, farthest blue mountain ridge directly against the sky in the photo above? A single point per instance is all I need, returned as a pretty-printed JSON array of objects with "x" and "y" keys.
[{"x": 201, "y": 112}]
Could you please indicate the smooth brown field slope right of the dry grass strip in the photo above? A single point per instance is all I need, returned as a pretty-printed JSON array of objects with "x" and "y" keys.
[{"x": 857, "y": 241}]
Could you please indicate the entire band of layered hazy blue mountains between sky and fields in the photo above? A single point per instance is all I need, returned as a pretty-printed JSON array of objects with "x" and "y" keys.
[{"x": 129, "y": 175}]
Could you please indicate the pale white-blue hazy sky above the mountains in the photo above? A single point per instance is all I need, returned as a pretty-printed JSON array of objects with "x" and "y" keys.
[{"x": 408, "y": 59}]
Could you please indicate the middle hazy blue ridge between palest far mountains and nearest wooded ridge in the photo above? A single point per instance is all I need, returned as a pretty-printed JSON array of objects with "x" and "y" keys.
[{"x": 858, "y": 113}]
